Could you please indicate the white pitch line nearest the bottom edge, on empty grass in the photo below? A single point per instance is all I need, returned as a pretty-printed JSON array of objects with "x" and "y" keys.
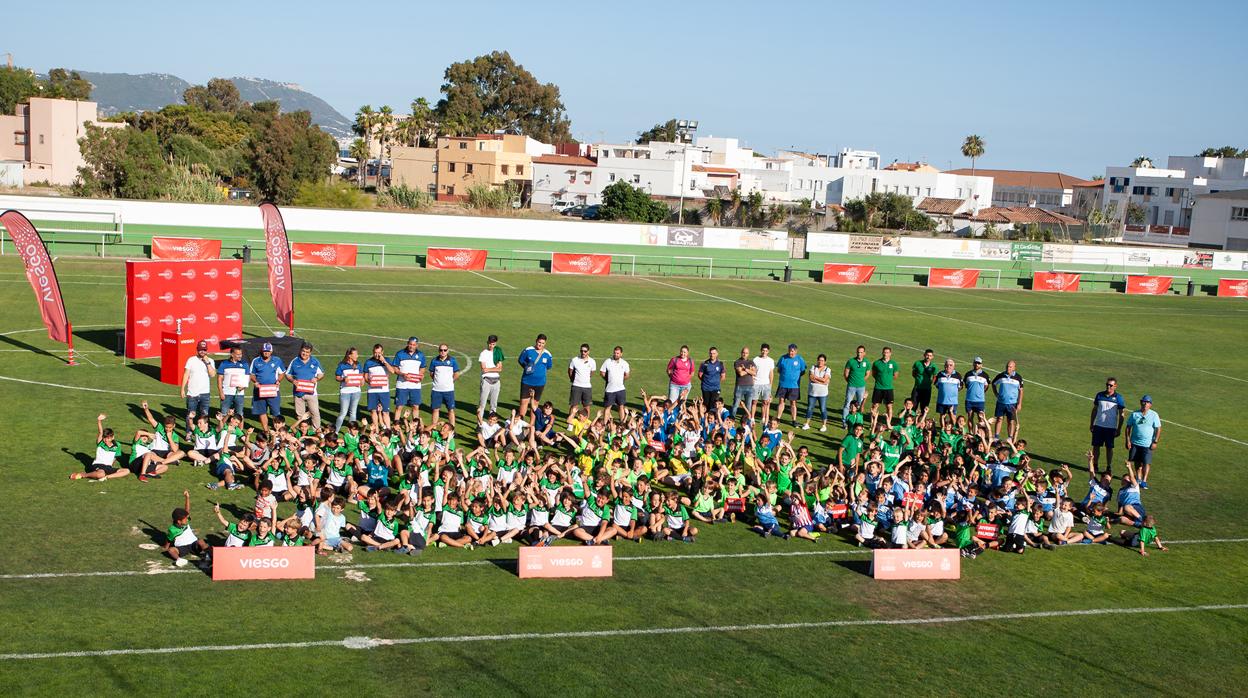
[{"x": 373, "y": 644}]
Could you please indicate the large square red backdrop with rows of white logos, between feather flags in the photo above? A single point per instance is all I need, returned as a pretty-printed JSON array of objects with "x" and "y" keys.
[{"x": 205, "y": 295}]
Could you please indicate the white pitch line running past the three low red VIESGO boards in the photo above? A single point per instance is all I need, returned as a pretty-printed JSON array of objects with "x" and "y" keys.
[{"x": 366, "y": 566}]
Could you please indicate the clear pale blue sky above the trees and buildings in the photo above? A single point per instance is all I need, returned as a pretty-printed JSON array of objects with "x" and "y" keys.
[{"x": 1070, "y": 87}]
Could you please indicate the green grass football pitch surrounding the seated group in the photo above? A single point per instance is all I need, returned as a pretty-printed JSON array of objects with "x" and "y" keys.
[{"x": 728, "y": 615}]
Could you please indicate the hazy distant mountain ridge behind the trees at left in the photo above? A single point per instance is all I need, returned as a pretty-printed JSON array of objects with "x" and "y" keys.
[{"x": 123, "y": 92}]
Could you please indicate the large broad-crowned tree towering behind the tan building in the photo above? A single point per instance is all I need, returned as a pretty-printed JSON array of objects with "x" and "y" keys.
[{"x": 495, "y": 93}]
